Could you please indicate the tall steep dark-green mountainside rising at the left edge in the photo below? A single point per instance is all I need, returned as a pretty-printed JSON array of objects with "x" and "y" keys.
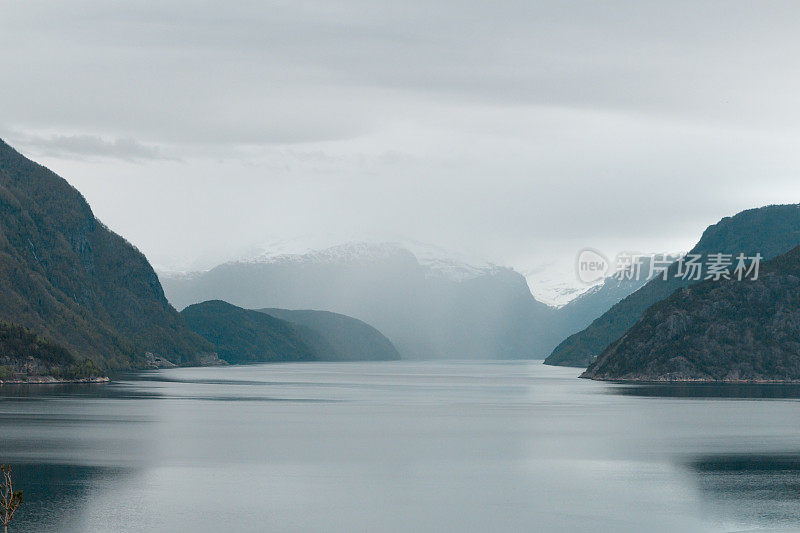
[{"x": 70, "y": 280}]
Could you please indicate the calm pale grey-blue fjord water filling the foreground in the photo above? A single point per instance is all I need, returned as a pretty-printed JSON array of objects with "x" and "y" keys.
[{"x": 400, "y": 446}]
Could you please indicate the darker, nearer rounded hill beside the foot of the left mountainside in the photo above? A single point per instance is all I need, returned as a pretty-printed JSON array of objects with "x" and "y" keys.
[{"x": 241, "y": 335}]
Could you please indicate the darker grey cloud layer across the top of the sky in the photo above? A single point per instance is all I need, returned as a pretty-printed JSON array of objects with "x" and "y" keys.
[{"x": 288, "y": 72}]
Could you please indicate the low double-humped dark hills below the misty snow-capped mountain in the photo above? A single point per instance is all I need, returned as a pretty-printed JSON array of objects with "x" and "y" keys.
[{"x": 272, "y": 335}]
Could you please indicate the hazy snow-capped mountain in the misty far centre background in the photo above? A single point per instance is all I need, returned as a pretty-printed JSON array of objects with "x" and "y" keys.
[{"x": 429, "y": 309}]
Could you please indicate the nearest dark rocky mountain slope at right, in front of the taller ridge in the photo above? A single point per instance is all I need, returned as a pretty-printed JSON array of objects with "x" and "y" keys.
[{"x": 728, "y": 330}]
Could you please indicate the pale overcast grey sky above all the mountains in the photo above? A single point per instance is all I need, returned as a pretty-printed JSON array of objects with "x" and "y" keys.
[{"x": 519, "y": 132}]
